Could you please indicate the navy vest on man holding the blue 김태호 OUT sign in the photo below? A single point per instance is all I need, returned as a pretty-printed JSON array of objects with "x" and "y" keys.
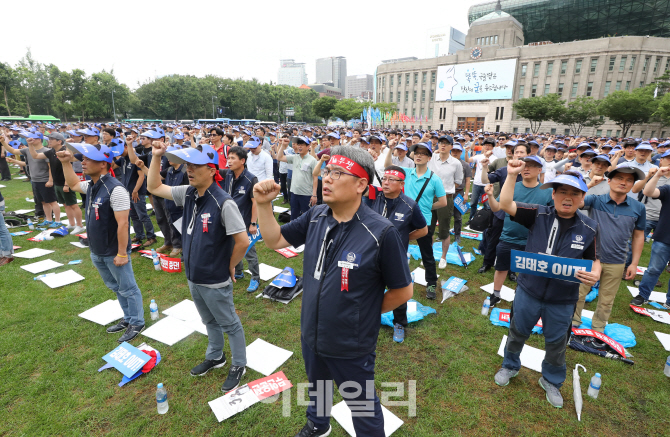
[{"x": 584, "y": 230}]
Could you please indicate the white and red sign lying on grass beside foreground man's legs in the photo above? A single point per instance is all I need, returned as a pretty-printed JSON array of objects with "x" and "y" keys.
[{"x": 249, "y": 394}]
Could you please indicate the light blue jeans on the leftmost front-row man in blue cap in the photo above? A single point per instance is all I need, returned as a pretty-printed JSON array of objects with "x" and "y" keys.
[{"x": 121, "y": 281}]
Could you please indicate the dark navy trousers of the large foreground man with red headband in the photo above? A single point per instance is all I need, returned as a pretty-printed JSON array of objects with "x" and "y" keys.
[{"x": 355, "y": 379}]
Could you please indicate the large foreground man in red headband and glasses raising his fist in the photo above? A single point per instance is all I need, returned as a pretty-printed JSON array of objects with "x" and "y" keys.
[{"x": 351, "y": 254}]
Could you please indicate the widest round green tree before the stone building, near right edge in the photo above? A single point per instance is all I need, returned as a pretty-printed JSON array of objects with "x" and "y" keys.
[{"x": 629, "y": 108}]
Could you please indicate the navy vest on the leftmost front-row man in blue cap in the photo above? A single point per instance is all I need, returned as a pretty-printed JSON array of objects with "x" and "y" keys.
[{"x": 102, "y": 228}]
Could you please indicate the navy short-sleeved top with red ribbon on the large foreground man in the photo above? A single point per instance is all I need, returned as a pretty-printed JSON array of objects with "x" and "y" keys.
[{"x": 346, "y": 267}]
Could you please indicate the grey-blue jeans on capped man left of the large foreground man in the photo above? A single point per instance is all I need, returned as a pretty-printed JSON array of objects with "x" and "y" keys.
[{"x": 217, "y": 311}]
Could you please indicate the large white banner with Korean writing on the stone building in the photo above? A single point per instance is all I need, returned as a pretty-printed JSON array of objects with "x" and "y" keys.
[{"x": 485, "y": 80}]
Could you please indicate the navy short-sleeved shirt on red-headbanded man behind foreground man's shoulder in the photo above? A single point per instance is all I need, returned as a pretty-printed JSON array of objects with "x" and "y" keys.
[{"x": 402, "y": 212}]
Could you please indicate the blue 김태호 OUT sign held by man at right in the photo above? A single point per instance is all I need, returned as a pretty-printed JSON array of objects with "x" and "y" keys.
[{"x": 549, "y": 266}]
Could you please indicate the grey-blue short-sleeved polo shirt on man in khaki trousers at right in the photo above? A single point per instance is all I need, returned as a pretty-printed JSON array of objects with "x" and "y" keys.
[{"x": 617, "y": 223}]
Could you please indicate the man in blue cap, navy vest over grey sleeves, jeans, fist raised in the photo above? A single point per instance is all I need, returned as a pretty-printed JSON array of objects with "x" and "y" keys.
[{"x": 214, "y": 241}]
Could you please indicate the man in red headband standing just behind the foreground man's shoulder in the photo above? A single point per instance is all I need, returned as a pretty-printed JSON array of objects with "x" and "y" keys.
[{"x": 403, "y": 213}]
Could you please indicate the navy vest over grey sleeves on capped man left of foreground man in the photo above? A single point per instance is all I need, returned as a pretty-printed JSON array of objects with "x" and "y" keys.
[{"x": 206, "y": 255}]
